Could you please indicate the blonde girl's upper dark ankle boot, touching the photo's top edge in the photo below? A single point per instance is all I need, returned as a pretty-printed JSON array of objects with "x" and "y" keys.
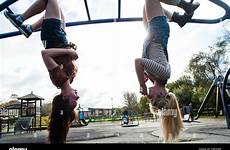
[{"x": 188, "y": 7}]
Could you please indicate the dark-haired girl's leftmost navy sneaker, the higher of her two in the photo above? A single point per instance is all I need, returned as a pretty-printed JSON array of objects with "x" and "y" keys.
[{"x": 15, "y": 19}]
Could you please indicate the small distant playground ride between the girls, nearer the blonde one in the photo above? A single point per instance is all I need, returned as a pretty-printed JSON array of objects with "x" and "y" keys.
[{"x": 129, "y": 120}]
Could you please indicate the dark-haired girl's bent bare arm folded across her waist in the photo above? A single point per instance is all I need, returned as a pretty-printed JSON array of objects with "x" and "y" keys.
[{"x": 48, "y": 56}]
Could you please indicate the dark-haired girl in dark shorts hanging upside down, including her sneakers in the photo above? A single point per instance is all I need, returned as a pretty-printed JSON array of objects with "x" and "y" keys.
[{"x": 59, "y": 57}]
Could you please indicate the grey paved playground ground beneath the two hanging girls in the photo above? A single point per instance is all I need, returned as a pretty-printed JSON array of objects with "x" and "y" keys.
[{"x": 202, "y": 131}]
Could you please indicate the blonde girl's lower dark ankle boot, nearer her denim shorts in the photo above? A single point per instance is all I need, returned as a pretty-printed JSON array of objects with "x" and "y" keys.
[{"x": 181, "y": 20}]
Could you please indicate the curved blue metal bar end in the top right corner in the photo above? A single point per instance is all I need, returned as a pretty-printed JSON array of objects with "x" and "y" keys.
[{"x": 212, "y": 21}]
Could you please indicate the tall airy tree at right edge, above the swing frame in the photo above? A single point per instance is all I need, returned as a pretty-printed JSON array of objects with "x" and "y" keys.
[{"x": 206, "y": 66}]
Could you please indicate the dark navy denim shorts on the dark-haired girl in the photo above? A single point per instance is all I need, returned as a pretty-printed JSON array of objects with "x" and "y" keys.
[{"x": 52, "y": 35}]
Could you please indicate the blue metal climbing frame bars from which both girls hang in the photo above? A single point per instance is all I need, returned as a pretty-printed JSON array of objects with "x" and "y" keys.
[{"x": 119, "y": 18}]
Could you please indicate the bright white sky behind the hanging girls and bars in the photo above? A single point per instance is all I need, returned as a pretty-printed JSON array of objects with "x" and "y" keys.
[{"x": 106, "y": 51}]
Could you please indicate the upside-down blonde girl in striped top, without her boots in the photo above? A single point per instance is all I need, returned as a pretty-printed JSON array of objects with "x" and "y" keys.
[{"x": 154, "y": 65}]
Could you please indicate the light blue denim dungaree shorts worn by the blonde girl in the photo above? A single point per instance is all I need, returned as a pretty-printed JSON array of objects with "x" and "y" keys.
[{"x": 158, "y": 30}]
